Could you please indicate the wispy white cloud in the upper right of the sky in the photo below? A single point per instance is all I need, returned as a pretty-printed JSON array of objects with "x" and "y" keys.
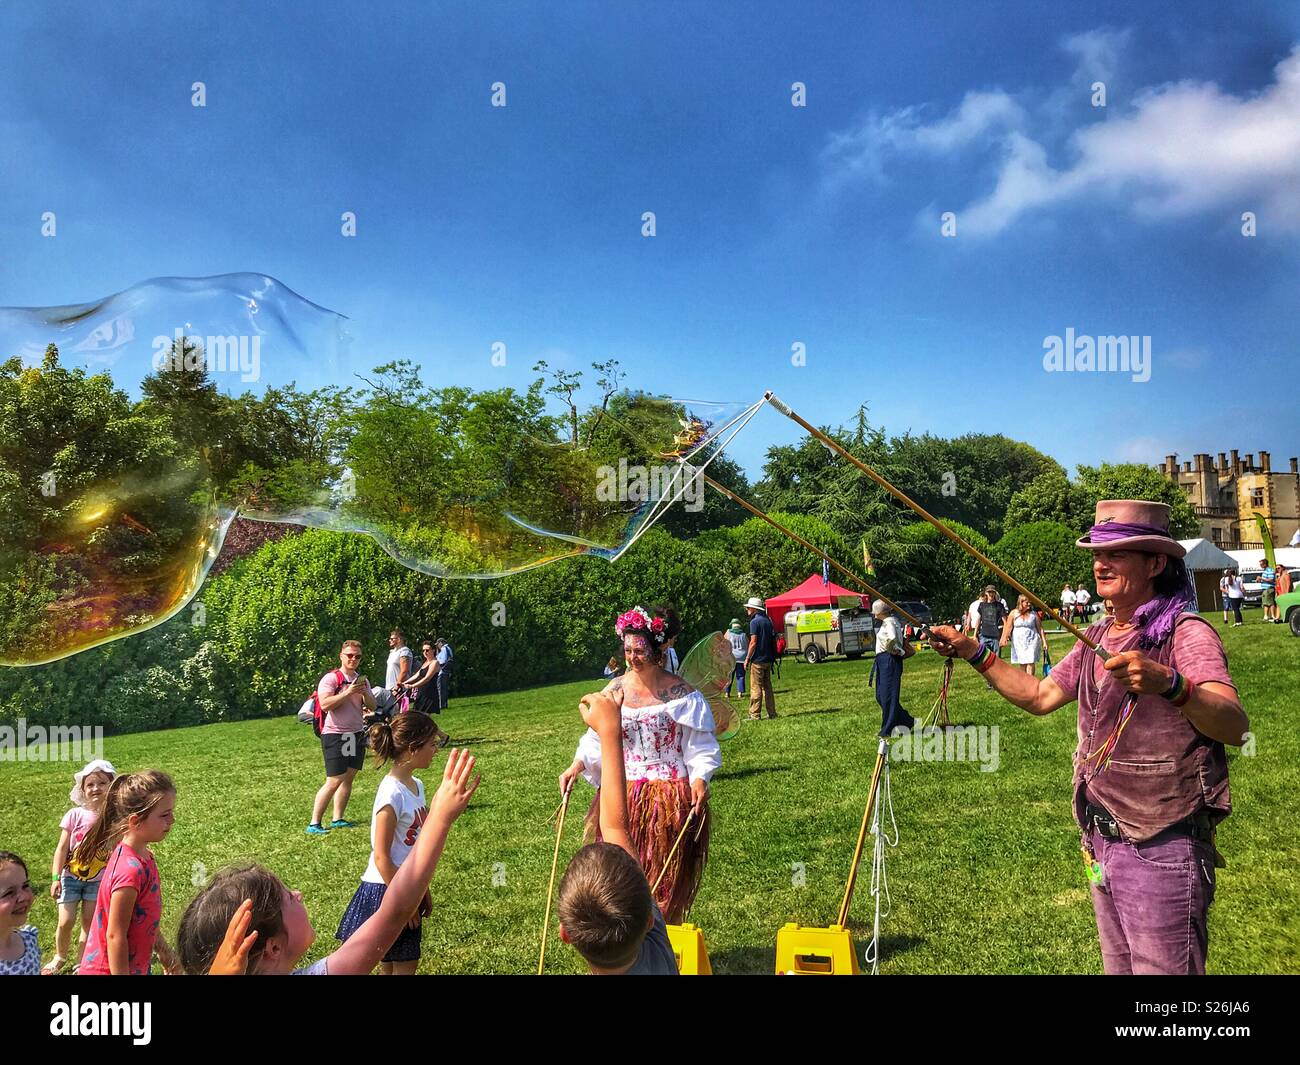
[{"x": 1177, "y": 149}]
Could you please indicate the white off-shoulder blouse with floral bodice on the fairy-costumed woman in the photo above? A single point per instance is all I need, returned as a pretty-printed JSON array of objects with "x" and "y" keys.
[{"x": 671, "y": 741}]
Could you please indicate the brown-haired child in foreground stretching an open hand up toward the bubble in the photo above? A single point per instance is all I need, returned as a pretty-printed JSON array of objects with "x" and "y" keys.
[{"x": 248, "y": 921}]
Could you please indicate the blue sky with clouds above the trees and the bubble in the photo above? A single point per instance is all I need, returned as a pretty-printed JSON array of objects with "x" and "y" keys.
[{"x": 775, "y": 224}]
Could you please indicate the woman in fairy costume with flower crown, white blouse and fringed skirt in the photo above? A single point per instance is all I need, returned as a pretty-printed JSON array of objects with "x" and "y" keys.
[{"x": 670, "y": 752}]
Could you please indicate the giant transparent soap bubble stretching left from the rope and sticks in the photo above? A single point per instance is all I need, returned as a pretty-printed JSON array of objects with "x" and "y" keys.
[{"x": 174, "y": 406}]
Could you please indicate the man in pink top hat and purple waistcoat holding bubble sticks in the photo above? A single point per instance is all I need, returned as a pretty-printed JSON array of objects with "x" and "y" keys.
[{"x": 1155, "y": 712}]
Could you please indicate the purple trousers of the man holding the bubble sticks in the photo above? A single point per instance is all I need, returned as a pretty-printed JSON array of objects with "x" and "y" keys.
[{"x": 1154, "y": 903}]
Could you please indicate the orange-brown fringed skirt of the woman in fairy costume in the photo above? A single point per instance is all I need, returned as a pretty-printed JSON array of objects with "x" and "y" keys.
[{"x": 657, "y": 809}]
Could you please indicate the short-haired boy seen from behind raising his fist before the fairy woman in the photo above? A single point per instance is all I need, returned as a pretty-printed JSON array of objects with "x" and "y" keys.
[{"x": 606, "y": 911}]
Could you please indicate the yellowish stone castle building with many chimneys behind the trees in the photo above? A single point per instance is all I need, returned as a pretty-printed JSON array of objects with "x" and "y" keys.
[{"x": 1227, "y": 493}]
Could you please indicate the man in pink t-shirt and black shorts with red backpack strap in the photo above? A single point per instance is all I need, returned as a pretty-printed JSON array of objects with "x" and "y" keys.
[{"x": 345, "y": 696}]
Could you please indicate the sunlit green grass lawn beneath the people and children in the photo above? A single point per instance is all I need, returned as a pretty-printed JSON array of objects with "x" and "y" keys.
[{"x": 987, "y": 876}]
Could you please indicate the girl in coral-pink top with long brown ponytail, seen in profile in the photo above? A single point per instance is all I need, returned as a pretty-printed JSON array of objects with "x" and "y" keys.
[{"x": 124, "y": 934}]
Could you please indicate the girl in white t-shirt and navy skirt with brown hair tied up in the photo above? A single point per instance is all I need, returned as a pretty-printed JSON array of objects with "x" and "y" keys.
[{"x": 400, "y": 811}]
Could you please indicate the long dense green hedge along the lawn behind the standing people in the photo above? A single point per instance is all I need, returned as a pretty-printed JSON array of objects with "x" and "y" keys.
[{"x": 274, "y": 624}]
